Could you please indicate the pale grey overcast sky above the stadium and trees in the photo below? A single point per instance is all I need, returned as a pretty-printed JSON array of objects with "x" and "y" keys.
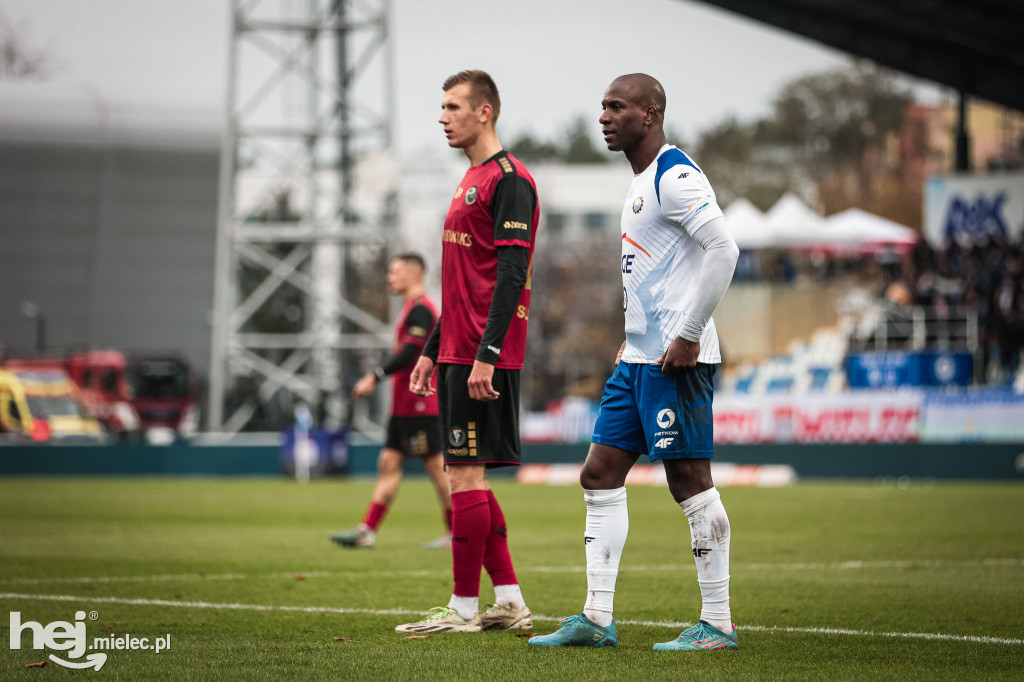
[{"x": 551, "y": 59}]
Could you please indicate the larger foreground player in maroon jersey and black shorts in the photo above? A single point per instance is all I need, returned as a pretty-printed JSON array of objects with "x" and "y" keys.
[{"x": 478, "y": 350}]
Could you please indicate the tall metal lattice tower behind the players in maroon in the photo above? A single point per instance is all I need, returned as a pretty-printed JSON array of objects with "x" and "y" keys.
[{"x": 308, "y": 208}]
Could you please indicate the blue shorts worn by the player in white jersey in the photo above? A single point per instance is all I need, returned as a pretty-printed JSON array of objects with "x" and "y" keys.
[{"x": 665, "y": 418}]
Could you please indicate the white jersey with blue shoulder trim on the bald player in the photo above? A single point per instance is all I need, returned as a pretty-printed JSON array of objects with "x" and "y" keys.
[{"x": 668, "y": 202}]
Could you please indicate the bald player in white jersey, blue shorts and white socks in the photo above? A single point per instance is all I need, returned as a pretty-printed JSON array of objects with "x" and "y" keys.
[{"x": 677, "y": 263}]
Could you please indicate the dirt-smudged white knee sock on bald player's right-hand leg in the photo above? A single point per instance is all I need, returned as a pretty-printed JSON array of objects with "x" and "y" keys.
[{"x": 710, "y": 535}]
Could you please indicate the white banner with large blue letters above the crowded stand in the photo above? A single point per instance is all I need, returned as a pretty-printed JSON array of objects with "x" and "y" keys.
[{"x": 966, "y": 207}]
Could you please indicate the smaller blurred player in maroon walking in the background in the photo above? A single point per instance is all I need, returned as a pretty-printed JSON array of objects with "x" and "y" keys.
[{"x": 414, "y": 430}]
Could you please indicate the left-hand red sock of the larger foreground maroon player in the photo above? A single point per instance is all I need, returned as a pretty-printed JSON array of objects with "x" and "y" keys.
[{"x": 471, "y": 526}]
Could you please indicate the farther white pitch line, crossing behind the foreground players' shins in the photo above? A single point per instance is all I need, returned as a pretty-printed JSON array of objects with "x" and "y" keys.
[{"x": 842, "y": 566}]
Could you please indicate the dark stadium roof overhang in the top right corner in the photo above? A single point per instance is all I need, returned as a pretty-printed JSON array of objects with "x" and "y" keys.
[{"x": 976, "y": 48}]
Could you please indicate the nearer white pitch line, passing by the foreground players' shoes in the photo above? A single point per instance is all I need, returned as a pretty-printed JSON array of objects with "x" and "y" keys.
[{"x": 403, "y": 612}]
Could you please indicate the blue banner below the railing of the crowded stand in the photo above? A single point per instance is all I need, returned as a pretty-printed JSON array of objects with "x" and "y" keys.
[{"x": 893, "y": 369}]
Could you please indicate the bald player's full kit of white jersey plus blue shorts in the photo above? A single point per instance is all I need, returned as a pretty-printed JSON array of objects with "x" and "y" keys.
[{"x": 645, "y": 411}]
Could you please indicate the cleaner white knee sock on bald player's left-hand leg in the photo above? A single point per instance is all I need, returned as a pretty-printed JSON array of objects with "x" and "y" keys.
[{"x": 608, "y": 526}]
